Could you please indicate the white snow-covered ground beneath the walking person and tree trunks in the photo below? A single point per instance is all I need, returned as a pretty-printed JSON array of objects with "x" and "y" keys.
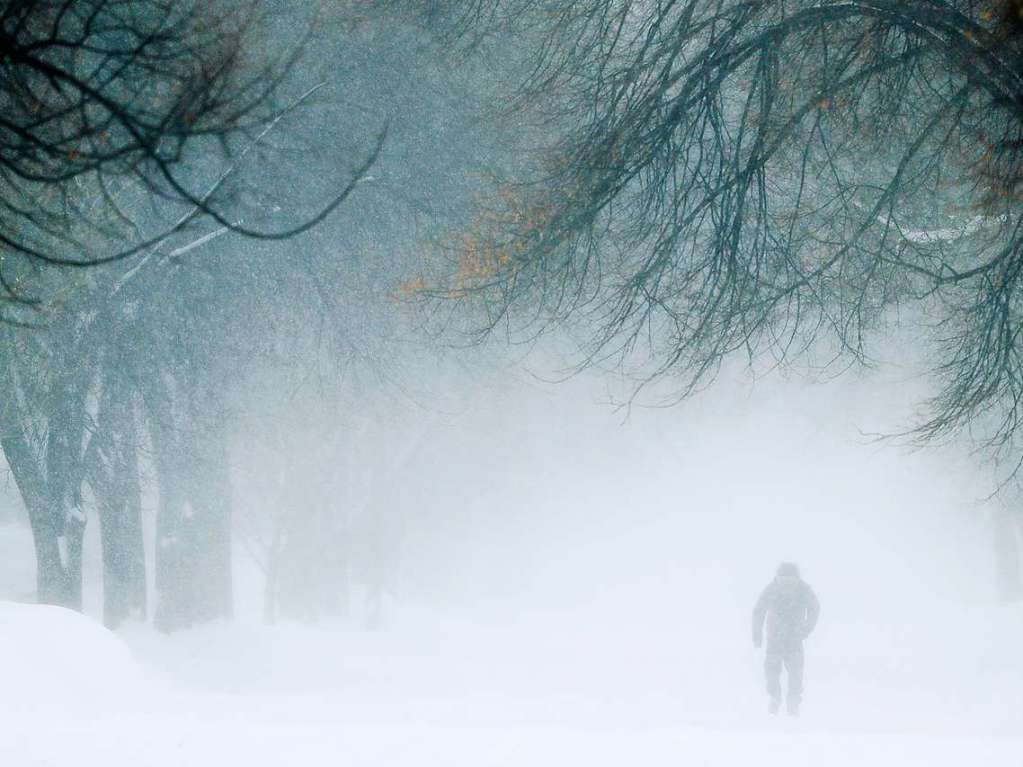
[{"x": 434, "y": 691}]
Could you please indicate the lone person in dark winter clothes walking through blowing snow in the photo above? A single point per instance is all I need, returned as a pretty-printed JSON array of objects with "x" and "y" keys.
[{"x": 791, "y": 610}]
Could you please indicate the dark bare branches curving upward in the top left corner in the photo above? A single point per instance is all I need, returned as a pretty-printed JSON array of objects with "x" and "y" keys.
[{"x": 107, "y": 106}]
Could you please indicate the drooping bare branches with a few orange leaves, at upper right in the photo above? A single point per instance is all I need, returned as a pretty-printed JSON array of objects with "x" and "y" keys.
[{"x": 768, "y": 178}]
